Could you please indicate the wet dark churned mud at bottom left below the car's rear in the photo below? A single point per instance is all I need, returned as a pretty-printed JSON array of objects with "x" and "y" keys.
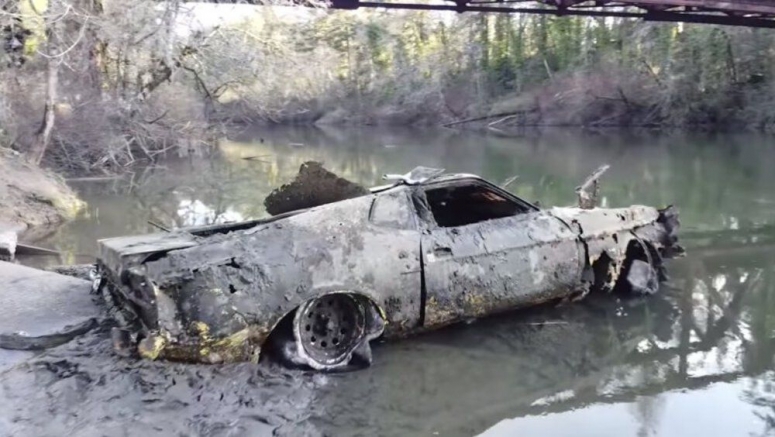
[{"x": 83, "y": 389}]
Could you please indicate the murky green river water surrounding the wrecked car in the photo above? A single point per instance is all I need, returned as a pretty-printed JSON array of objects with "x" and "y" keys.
[{"x": 695, "y": 360}]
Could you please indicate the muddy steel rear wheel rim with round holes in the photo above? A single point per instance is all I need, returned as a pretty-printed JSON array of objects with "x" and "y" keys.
[{"x": 329, "y": 328}]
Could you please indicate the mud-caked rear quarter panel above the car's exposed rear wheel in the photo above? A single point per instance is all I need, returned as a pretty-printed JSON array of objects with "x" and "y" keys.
[{"x": 248, "y": 280}]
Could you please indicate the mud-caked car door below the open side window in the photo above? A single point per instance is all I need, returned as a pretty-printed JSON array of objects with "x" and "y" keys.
[{"x": 492, "y": 265}]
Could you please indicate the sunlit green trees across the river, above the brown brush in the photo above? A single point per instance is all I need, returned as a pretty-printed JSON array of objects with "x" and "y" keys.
[{"x": 671, "y": 73}]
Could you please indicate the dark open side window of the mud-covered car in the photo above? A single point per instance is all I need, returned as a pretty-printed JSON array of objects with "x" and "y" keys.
[{"x": 467, "y": 204}]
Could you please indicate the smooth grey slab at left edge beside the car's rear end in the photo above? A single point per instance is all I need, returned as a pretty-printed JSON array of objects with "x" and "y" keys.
[{"x": 40, "y": 309}]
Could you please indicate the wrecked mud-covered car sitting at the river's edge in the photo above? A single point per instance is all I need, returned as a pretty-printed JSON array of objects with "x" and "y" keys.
[{"x": 320, "y": 283}]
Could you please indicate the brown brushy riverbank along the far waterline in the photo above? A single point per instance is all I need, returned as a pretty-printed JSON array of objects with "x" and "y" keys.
[{"x": 607, "y": 96}]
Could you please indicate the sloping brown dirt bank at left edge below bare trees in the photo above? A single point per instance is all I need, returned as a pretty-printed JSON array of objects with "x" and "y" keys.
[{"x": 32, "y": 199}]
